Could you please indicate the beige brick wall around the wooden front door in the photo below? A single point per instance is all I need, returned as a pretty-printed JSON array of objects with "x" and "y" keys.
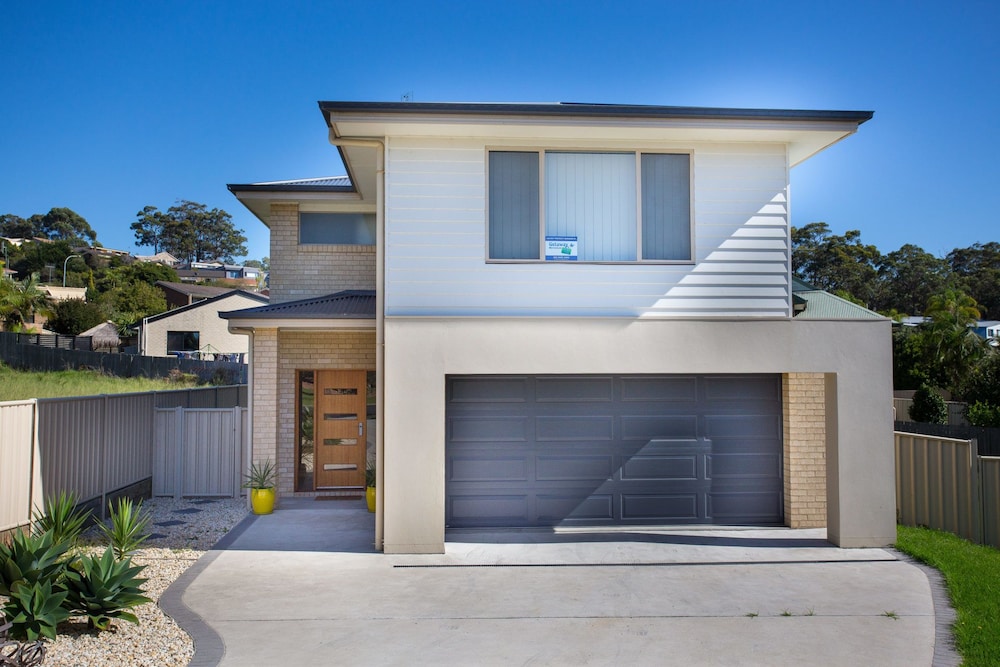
[{"x": 299, "y": 350}]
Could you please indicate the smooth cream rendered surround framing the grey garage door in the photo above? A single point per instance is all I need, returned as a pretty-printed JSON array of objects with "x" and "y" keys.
[{"x": 855, "y": 357}]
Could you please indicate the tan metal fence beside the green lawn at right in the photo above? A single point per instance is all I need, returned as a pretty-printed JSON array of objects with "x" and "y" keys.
[{"x": 943, "y": 483}]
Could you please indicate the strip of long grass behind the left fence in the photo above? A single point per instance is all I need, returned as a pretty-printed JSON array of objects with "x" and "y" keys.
[{"x": 19, "y": 385}]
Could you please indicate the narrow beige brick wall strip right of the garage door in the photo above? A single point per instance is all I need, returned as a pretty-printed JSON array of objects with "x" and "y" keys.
[{"x": 804, "y": 449}]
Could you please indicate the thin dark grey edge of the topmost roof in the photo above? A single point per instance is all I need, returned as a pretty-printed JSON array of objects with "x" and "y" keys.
[{"x": 592, "y": 110}]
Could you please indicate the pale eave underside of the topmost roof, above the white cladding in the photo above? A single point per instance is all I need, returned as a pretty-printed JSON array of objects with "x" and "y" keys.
[{"x": 804, "y": 138}]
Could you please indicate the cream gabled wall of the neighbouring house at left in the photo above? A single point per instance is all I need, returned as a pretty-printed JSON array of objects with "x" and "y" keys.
[{"x": 214, "y": 330}]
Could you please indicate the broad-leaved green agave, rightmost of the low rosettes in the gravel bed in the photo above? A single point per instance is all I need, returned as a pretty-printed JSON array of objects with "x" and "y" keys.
[{"x": 103, "y": 589}]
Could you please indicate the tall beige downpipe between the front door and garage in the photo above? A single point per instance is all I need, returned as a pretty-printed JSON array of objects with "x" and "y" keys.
[{"x": 379, "y": 146}]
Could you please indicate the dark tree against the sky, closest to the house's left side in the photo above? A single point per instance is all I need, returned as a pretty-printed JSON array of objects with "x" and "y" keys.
[{"x": 190, "y": 231}]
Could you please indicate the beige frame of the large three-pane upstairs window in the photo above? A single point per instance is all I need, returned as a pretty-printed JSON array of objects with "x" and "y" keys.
[{"x": 637, "y": 153}]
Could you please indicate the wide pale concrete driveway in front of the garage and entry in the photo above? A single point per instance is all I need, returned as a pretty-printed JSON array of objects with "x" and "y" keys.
[{"x": 304, "y": 587}]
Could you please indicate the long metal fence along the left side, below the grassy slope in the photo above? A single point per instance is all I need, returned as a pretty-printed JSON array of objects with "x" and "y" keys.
[{"x": 96, "y": 446}]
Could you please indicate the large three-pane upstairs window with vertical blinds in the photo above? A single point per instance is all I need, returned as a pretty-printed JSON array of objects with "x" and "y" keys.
[{"x": 619, "y": 206}]
